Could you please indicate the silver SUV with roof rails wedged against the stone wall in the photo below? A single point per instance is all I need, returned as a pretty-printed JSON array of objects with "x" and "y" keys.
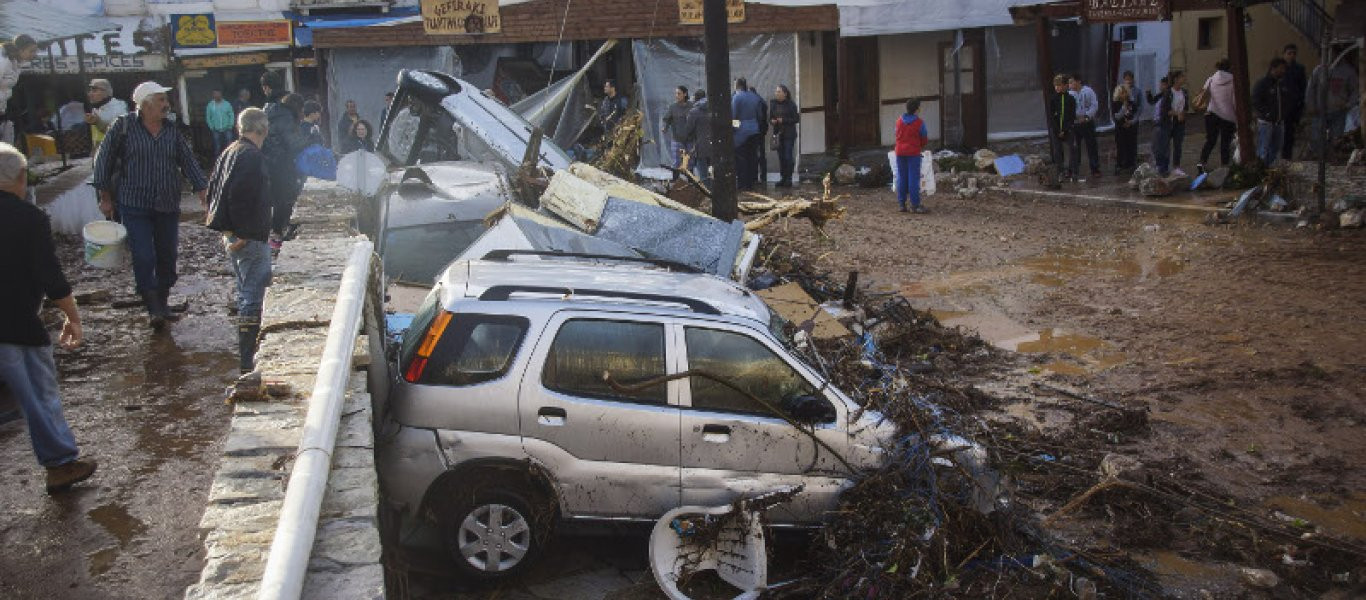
[{"x": 529, "y": 392}]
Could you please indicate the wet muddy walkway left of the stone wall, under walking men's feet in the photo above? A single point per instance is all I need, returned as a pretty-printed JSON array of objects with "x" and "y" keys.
[{"x": 150, "y": 409}]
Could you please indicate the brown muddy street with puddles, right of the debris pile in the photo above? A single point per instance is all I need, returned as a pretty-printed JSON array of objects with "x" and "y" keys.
[{"x": 1241, "y": 344}]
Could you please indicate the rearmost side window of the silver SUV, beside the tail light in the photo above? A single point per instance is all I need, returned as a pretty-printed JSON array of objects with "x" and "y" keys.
[{"x": 475, "y": 349}]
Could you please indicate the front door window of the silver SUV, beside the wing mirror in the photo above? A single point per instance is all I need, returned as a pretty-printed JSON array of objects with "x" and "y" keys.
[{"x": 745, "y": 363}]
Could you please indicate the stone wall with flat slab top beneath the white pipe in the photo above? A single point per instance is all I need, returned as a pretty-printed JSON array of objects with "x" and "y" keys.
[{"x": 248, "y": 493}]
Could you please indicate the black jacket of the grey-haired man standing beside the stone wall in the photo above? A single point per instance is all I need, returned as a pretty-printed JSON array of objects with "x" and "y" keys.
[{"x": 238, "y": 199}]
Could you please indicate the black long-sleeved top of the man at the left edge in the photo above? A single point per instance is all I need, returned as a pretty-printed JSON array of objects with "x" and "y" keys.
[{"x": 31, "y": 271}]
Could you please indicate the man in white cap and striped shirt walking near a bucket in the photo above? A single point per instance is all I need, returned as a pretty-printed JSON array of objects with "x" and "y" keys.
[{"x": 137, "y": 172}]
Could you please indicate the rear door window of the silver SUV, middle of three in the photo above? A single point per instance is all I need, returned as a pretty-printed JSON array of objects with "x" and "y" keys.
[{"x": 585, "y": 349}]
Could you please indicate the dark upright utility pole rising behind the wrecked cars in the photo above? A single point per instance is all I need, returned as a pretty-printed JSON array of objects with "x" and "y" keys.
[{"x": 719, "y": 106}]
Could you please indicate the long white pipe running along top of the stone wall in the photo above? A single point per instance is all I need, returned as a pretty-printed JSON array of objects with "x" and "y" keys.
[{"x": 288, "y": 564}]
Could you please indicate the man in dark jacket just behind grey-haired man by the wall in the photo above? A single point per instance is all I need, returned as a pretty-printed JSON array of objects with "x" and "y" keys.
[{"x": 281, "y": 148}]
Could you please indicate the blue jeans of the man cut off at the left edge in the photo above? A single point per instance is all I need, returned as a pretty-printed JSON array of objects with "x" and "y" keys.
[{"x": 32, "y": 377}]
